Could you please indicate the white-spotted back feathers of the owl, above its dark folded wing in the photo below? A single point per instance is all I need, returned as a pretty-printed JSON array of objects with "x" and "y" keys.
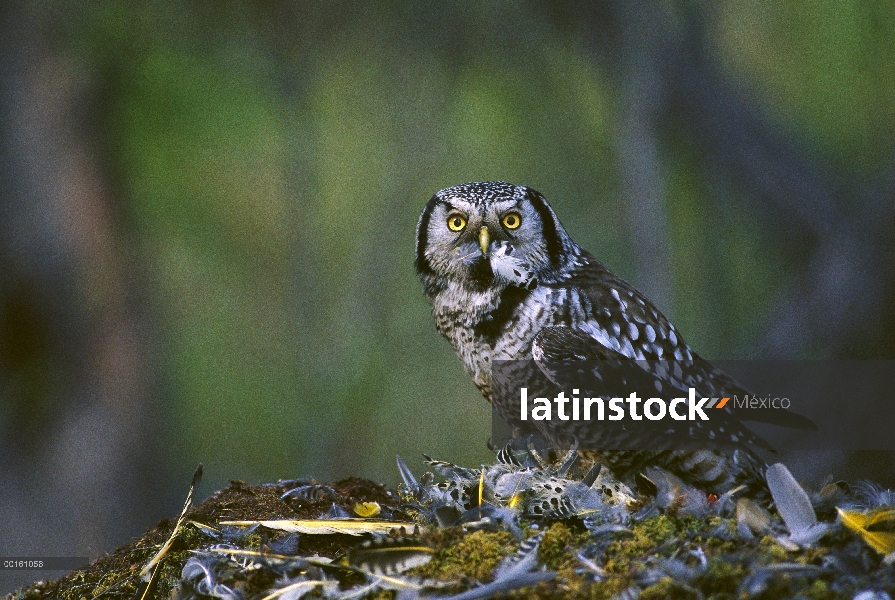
[{"x": 618, "y": 317}]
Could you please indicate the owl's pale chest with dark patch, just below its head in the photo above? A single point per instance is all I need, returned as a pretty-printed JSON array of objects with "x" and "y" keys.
[{"x": 488, "y": 327}]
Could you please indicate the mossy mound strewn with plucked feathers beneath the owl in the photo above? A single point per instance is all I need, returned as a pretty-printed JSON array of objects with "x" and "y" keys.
[{"x": 654, "y": 554}]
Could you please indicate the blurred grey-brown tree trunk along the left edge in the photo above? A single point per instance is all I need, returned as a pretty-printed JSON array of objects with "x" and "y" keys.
[{"x": 77, "y": 410}]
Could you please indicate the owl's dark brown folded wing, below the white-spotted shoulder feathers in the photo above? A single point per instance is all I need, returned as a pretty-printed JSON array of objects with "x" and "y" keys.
[{"x": 572, "y": 359}]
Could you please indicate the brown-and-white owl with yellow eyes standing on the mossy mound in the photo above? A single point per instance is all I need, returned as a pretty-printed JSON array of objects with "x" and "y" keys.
[{"x": 508, "y": 286}]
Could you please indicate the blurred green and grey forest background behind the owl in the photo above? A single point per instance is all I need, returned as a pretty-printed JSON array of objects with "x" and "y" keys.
[{"x": 208, "y": 210}]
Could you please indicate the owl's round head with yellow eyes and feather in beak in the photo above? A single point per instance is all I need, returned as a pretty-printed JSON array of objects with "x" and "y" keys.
[{"x": 481, "y": 235}]
